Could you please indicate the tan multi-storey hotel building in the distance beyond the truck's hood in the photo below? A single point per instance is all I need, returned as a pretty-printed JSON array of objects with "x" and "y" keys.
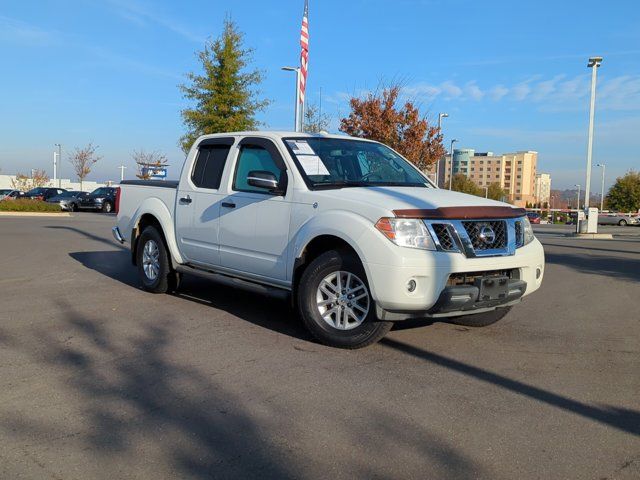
[{"x": 514, "y": 172}]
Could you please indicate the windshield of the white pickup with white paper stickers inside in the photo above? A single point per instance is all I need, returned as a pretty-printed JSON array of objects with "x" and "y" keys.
[{"x": 337, "y": 163}]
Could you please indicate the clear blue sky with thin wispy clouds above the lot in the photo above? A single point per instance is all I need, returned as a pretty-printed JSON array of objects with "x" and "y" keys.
[{"x": 512, "y": 75}]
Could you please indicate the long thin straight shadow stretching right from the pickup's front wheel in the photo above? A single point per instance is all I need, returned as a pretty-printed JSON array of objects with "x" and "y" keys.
[{"x": 623, "y": 419}]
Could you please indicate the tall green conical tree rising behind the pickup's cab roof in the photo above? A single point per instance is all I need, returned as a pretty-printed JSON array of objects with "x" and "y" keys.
[{"x": 224, "y": 94}]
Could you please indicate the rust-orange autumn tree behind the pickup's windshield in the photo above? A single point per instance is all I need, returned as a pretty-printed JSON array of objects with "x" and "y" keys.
[{"x": 377, "y": 117}]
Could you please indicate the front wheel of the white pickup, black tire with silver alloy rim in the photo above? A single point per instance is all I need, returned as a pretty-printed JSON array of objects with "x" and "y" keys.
[{"x": 358, "y": 331}]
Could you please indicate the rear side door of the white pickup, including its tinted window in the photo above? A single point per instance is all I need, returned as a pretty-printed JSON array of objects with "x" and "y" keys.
[{"x": 198, "y": 203}]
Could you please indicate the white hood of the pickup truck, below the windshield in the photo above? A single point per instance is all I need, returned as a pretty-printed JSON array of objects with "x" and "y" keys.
[{"x": 398, "y": 198}]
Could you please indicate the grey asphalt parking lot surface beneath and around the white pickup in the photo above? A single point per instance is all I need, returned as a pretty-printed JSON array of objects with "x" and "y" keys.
[{"x": 99, "y": 379}]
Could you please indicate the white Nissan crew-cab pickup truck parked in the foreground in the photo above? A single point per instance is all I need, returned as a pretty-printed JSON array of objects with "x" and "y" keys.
[{"x": 355, "y": 234}]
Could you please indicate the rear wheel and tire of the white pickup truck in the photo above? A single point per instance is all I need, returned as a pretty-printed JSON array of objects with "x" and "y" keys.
[{"x": 153, "y": 262}]
